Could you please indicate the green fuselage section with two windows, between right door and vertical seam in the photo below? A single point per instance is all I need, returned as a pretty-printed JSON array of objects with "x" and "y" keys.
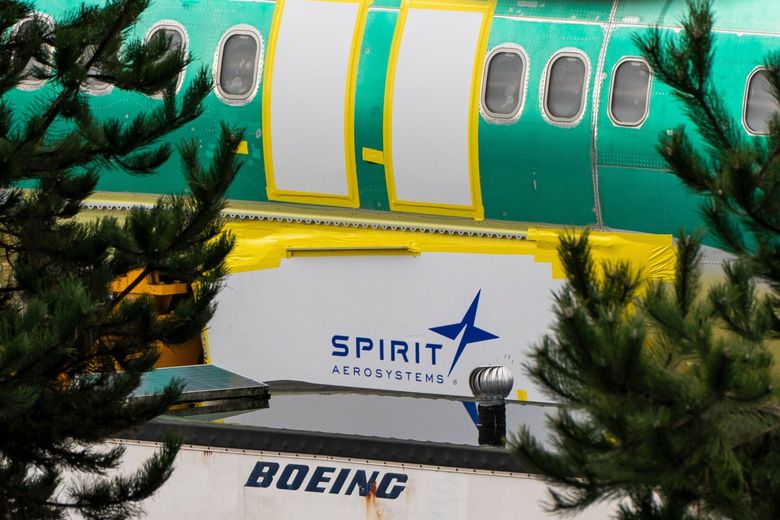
[{"x": 532, "y": 169}]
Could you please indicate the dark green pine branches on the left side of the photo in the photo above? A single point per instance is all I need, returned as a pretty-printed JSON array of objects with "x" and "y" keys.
[{"x": 71, "y": 352}]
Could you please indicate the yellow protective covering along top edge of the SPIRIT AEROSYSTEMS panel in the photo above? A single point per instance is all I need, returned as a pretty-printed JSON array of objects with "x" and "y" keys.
[{"x": 263, "y": 244}]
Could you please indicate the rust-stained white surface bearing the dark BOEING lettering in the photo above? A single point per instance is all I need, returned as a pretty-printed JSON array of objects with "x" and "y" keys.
[{"x": 211, "y": 484}]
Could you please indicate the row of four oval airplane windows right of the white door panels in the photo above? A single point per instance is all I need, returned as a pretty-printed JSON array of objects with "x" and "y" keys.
[{"x": 564, "y": 90}]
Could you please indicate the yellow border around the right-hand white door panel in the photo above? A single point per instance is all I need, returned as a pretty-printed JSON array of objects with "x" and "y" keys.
[{"x": 476, "y": 209}]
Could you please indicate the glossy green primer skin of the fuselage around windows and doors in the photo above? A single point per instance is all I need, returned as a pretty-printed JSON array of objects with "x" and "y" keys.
[{"x": 531, "y": 170}]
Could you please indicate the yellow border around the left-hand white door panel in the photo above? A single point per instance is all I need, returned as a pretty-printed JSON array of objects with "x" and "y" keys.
[{"x": 351, "y": 200}]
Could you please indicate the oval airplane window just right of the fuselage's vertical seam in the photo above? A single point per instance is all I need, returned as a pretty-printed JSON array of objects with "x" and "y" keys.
[{"x": 630, "y": 91}]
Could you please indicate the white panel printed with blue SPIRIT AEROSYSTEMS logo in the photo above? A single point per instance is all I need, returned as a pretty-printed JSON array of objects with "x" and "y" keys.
[{"x": 279, "y": 324}]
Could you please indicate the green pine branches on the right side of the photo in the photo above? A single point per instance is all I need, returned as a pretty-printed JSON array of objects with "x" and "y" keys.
[{"x": 666, "y": 391}]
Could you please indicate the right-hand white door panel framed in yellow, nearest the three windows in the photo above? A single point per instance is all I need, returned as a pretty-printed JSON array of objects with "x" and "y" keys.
[{"x": 431, "y": 106}]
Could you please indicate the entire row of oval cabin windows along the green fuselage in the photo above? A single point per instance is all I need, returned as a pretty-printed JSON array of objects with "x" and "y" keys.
[{"x": 504, "y": 83}]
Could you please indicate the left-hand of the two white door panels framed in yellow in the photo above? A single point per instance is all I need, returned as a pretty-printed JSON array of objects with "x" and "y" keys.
[{"x": 308, "y": 95}]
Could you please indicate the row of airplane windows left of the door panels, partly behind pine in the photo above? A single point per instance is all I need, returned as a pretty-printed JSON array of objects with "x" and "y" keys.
[{"x": 238, "y": 57}]
